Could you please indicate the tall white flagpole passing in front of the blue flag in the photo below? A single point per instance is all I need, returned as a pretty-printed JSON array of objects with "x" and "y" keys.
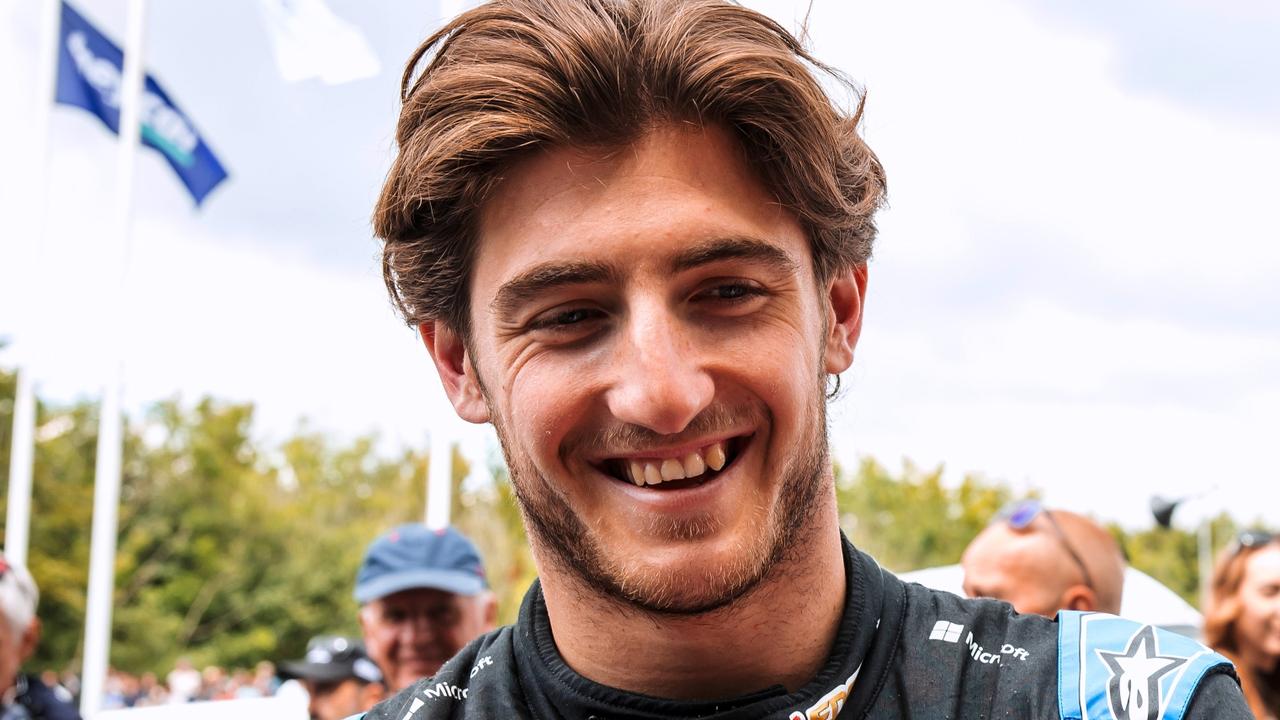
[{"x": 111, "y": 443}]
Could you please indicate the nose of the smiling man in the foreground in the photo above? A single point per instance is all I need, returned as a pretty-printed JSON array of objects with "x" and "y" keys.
[{"x": 660, "y": 382}]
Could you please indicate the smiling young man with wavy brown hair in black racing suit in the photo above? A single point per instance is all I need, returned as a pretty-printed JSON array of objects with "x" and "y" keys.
[{"x": 633, "y": 235}]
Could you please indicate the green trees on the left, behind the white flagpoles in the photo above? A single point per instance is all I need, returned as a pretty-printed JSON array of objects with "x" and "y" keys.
[{"x": 227, "y": 554}]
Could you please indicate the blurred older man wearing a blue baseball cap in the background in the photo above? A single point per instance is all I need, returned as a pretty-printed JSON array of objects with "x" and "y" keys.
[{"x": 423, "y": 598}]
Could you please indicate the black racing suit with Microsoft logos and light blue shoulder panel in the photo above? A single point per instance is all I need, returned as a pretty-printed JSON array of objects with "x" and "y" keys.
[{"x": 903, "y": 651}]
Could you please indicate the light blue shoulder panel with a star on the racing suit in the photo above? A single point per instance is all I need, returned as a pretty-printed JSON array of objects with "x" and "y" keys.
[{"x": 1116, "y": 669}]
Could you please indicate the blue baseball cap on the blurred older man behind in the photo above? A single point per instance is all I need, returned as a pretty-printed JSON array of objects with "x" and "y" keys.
[{"x": 414, "y": 557}]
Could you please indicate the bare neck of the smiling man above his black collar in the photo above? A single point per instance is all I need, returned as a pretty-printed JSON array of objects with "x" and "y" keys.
[{"x": 780, "y": 634}]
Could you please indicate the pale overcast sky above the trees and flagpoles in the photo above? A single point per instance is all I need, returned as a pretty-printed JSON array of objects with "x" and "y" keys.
[{"x": 1075, "y": 288}]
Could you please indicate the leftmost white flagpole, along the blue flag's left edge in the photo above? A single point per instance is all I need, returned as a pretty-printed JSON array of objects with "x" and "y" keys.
[{"x": 22, "y": 450}]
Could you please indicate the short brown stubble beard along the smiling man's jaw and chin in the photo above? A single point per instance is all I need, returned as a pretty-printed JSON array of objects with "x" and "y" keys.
[{"x": 559, "y": 530}]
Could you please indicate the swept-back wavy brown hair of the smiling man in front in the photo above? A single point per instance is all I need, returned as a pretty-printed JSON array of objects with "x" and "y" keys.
[{"x": 514, "y": 76}]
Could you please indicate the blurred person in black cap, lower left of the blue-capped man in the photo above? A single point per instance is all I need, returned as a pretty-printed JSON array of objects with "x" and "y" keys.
[{"x": 340, "y": 677}]
